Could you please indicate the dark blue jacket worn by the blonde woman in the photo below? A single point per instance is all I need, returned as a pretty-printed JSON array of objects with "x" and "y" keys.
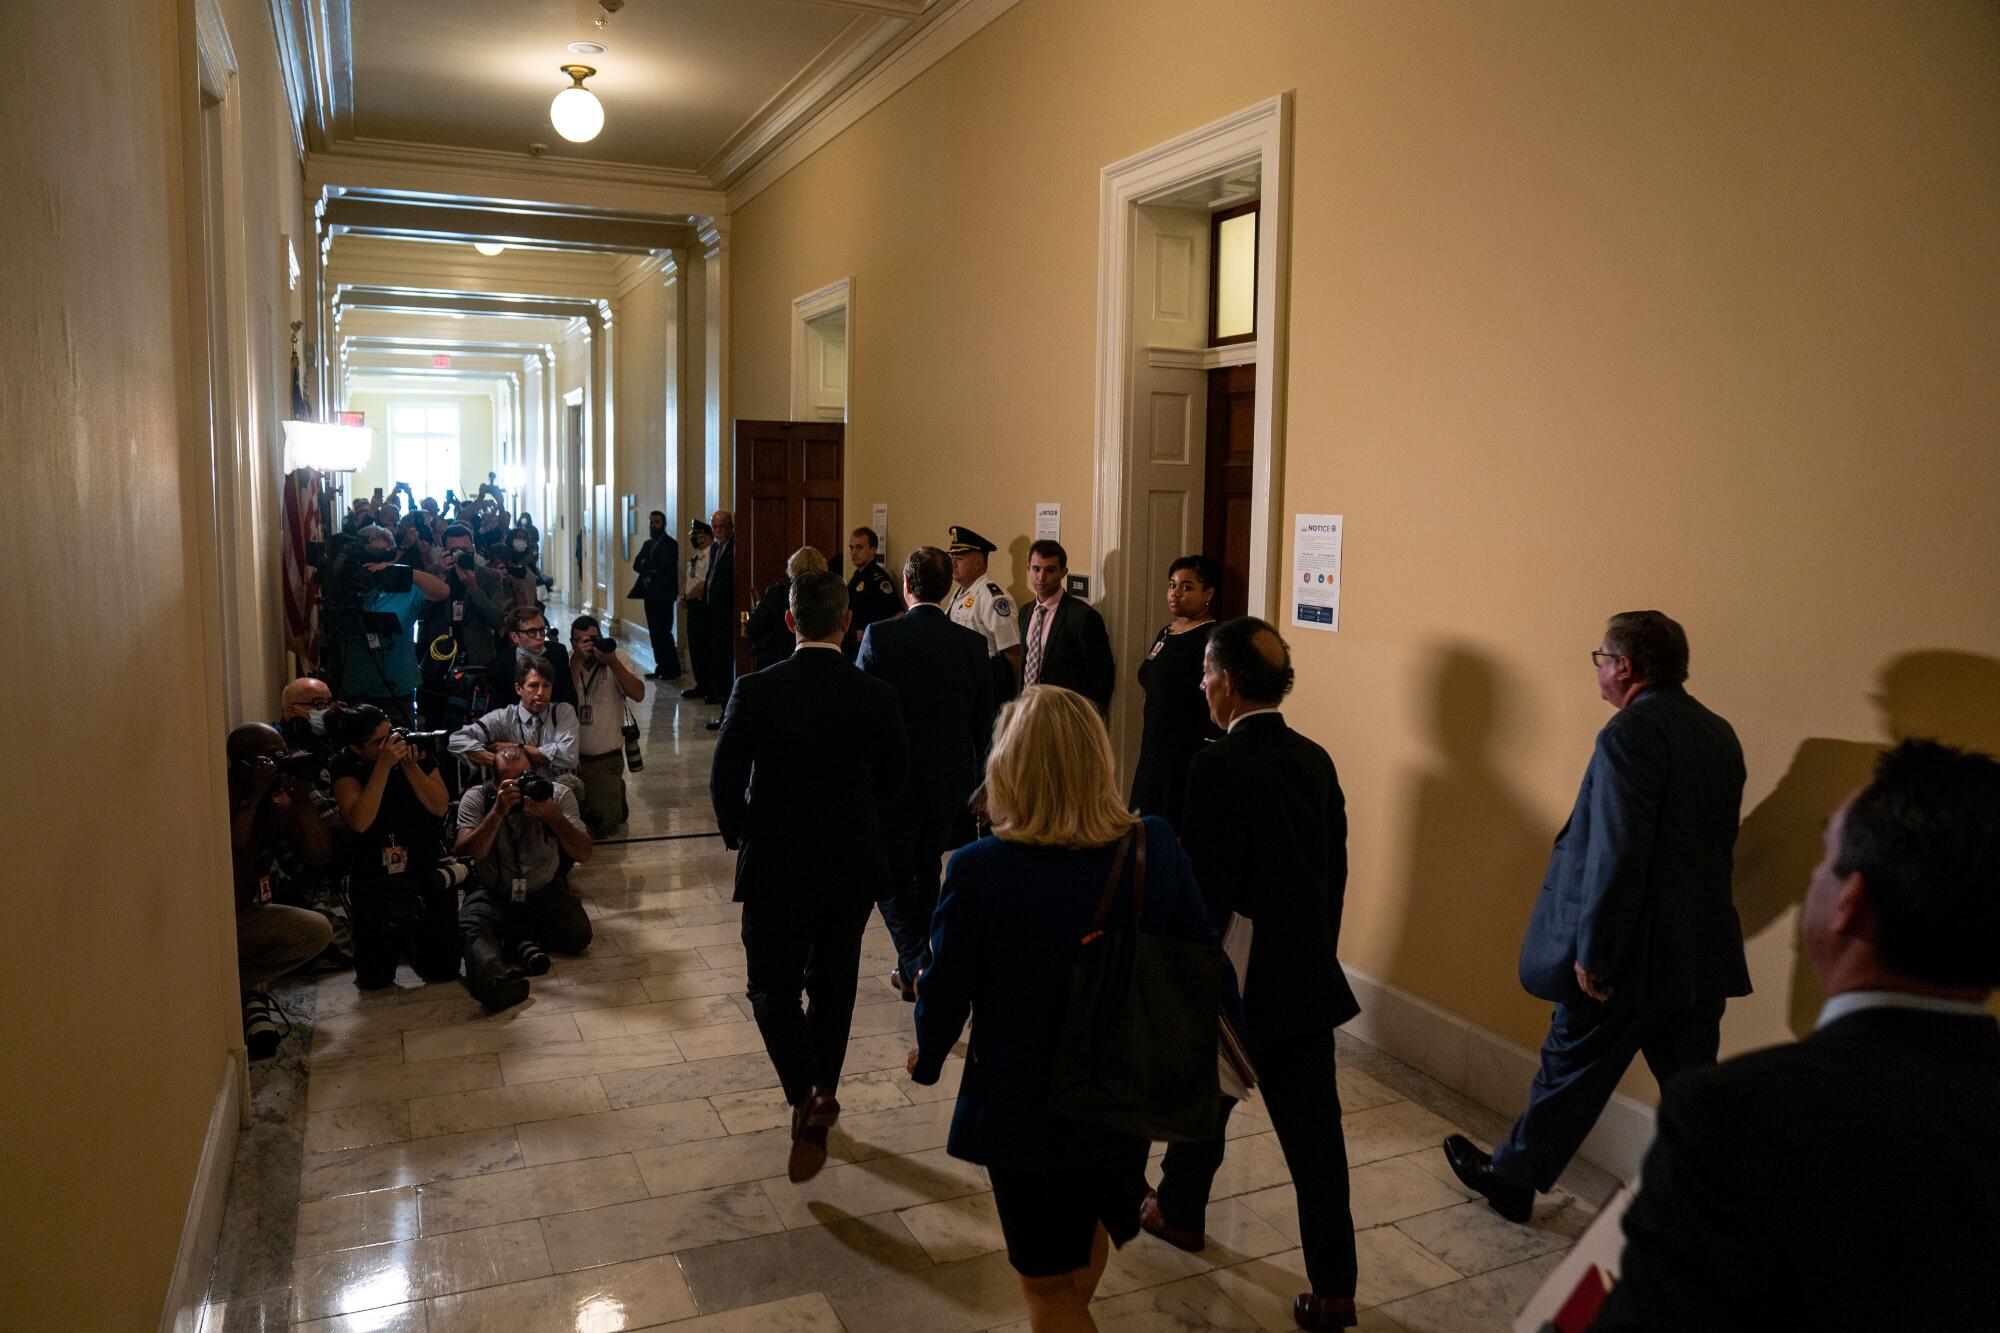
[{"x": 1005, "y": 942}]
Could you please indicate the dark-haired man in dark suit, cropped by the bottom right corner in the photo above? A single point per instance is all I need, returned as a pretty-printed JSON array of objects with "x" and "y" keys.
[{"x": 1851, "y": 1182}]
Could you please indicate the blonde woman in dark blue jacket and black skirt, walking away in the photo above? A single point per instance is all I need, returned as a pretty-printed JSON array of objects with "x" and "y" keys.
[{"x": 1005, "y": 942}]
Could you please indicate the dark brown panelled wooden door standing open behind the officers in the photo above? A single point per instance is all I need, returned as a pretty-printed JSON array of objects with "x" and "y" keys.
[{"x": 789, "y": 477}]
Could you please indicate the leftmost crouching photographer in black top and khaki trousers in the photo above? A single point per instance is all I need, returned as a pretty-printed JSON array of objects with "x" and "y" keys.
[{"x": 273, "y": 828}]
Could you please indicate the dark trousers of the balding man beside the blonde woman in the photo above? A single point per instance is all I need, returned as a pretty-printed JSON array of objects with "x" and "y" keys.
[{"x": 1303, "y": 1102}]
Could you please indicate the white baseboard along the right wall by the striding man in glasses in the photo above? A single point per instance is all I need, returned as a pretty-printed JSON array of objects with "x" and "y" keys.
[{"x": 1485, "y": 1068}]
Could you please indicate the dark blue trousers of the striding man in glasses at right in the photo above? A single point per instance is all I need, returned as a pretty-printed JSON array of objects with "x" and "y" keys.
[{"x": 1587, "y": 1052}]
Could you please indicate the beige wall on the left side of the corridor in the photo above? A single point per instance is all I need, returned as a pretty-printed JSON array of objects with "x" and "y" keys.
[{"x": 121, "y": 994}]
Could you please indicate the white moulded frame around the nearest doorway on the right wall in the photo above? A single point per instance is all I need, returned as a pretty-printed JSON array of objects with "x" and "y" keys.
[{"x": 1259, "y": 135}]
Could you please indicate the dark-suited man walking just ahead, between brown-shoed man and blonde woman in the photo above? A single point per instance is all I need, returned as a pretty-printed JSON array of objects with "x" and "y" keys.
[{"x": 945, "y": 692}]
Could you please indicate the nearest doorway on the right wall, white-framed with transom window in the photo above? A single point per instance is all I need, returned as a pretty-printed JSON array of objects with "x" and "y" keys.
[{"x": 1191, "y": 413}]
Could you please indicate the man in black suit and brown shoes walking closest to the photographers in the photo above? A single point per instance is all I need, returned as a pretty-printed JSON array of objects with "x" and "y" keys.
[{"x": 809, "y": 860}]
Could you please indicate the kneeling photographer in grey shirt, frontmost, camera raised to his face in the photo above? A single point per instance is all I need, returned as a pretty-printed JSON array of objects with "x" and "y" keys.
[{"x": 519, "y": 904}]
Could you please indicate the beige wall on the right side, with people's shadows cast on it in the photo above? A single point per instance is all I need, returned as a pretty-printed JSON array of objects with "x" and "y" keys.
[{"x": 1591, "y": 309}]
